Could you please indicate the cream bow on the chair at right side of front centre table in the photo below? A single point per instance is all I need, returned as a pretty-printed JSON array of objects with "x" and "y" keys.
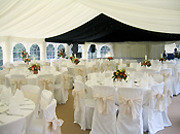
[{"x": 160, "y": 102}]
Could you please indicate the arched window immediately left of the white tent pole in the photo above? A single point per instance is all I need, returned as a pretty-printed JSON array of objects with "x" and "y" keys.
[{"x": 35, "y": 52}]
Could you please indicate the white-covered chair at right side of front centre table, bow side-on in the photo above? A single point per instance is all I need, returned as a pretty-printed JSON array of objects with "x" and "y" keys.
[{"x": 152, "y": 113}]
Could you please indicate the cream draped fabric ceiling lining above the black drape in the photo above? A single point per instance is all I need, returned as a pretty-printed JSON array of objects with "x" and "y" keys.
[{"x": 47, "y": 18}]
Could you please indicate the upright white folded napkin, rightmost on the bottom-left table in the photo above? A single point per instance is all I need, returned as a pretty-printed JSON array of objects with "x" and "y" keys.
[{"x": 14, "y": 107}]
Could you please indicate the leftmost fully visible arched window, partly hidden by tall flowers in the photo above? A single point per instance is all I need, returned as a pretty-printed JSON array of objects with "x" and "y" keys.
[{"x": 17, "y": 52}]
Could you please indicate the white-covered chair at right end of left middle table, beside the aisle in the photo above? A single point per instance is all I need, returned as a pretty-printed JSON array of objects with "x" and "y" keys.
[{"x": 60, "y": 93}]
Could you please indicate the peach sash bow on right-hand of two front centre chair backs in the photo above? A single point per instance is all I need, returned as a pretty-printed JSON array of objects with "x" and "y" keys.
[{"x": 129, "y": 105}]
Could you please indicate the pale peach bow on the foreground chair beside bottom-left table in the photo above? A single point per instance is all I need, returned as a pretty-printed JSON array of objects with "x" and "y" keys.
[{"x": 54, "y": 126}]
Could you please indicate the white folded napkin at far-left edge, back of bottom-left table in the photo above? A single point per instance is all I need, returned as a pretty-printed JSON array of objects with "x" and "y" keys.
[{"x": 6, "y": 95}]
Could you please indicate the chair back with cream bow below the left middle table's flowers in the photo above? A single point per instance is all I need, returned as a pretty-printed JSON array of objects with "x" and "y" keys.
[{"x": 46, "y": 81}]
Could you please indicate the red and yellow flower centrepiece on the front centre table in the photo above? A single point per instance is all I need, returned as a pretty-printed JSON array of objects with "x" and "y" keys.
[{"x": 119, "y": 74}]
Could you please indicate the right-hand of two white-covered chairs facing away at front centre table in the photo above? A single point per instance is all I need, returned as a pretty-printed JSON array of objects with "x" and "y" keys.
[{"x": 129, "y": 120}]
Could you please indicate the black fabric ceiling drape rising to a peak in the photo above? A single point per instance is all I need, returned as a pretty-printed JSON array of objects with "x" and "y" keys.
[{"x": 105, "y": 29}]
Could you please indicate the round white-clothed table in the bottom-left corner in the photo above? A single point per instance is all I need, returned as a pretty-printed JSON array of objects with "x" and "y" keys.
[{"x": 19, "y": 122}]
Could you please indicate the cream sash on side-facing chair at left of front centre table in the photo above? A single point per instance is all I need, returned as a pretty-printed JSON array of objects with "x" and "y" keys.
[{"x": 77, "y": 94}]
